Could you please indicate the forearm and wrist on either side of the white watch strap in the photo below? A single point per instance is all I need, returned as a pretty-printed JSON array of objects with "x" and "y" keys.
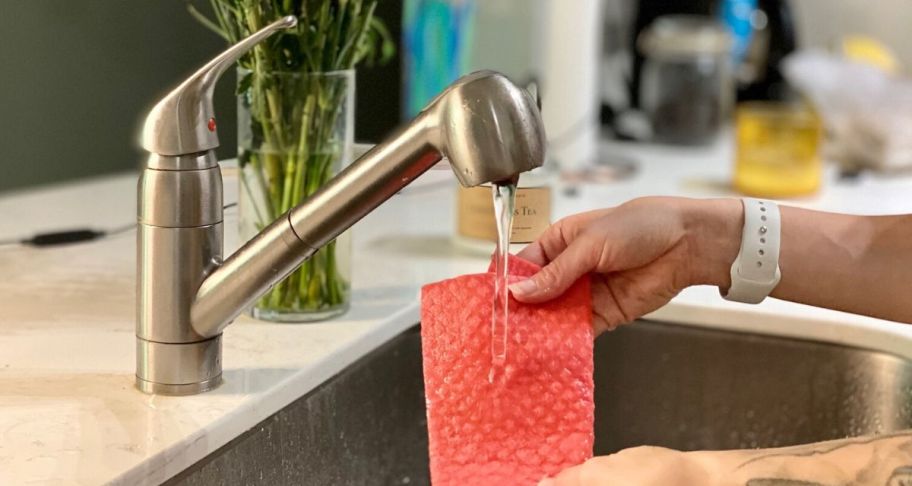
[{"x": 857, "y": 264}]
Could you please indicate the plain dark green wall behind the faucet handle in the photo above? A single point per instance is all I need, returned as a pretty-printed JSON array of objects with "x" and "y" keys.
[{"x": 76, "y": 78}]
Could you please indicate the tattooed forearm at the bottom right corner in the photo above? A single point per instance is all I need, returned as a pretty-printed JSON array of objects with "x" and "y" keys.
[{"x": 861, "y": 460}]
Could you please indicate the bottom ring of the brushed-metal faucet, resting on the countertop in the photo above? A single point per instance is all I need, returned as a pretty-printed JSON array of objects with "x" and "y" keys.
[{"x": 178, "y": 368}]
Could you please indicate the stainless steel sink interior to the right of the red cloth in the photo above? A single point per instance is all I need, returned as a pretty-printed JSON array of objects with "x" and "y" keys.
[{"x": 691, "y": 388}]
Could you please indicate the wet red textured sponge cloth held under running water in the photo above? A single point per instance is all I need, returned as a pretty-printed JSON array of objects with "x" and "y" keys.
[{"x": 536, "y": 418}]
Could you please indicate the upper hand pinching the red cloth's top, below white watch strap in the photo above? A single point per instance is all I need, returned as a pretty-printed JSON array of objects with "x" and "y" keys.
[{"x": 641, "y": 254}]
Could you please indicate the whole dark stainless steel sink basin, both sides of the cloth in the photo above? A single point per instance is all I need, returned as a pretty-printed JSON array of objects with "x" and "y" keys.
[{"x": 658, "y": 384}]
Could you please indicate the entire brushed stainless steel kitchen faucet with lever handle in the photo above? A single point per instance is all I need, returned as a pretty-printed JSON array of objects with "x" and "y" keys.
[{"x": 489, "y": 129}]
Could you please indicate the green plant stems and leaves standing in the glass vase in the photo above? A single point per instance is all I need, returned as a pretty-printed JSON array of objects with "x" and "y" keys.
[{"x": 293, "y": 152}]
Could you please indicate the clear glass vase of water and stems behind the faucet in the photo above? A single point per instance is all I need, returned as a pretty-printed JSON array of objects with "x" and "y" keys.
[{"x": 295, "y": 132}]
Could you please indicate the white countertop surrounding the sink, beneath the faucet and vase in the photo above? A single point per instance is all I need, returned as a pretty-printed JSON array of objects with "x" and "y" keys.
[{"x": 69, "y": 413}]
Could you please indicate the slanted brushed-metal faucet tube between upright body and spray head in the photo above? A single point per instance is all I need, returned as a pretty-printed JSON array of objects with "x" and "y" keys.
[{"x": 281, "y": 247}]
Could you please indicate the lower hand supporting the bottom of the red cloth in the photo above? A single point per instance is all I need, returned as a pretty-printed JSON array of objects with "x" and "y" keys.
[{"x": 641, "y": 466}]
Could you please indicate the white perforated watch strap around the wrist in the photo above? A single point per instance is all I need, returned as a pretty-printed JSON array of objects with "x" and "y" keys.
[{"x": 755, "y": 273}]
